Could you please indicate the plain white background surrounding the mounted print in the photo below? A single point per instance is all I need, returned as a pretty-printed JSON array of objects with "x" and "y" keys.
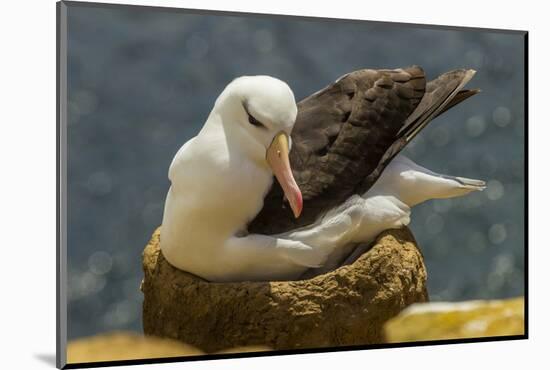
[{"x": 27, "y": 155}]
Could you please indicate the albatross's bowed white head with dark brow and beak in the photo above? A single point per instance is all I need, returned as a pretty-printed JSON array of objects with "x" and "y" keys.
[{"x": 258, "y": 114}]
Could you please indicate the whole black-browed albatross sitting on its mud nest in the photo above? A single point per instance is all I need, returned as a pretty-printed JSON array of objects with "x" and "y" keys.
[{"x": 223, "y": 219}]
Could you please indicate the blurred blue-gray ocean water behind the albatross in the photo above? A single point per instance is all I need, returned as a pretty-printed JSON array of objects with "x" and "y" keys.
[{"x": 142, "y": 82}]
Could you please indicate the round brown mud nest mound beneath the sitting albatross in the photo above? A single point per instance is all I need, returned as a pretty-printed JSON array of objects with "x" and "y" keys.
[{"x": 347, "y": 306}]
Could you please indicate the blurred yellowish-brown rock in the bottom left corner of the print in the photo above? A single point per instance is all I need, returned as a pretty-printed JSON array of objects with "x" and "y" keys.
[{"x": 125, "y": 346}]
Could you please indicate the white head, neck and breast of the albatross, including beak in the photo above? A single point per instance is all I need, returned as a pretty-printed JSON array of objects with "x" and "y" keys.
[{"x": 219, "y": 179}]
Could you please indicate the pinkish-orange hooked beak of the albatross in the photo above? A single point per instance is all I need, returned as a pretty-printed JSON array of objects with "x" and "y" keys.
[{"x": 277, "y": 158}]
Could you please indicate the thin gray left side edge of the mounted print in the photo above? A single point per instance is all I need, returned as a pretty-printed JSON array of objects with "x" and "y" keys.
[{"x": 61, "y": 188}]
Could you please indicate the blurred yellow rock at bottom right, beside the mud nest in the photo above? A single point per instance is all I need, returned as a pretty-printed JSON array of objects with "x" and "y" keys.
[{"x": 474, "y": 319}]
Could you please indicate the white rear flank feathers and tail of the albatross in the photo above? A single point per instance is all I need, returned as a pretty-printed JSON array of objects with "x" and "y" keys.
[{"x": 387, "y": 205}]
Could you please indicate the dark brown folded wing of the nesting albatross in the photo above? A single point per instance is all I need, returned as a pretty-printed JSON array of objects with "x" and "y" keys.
[{"x": 347, "y": 133}]
